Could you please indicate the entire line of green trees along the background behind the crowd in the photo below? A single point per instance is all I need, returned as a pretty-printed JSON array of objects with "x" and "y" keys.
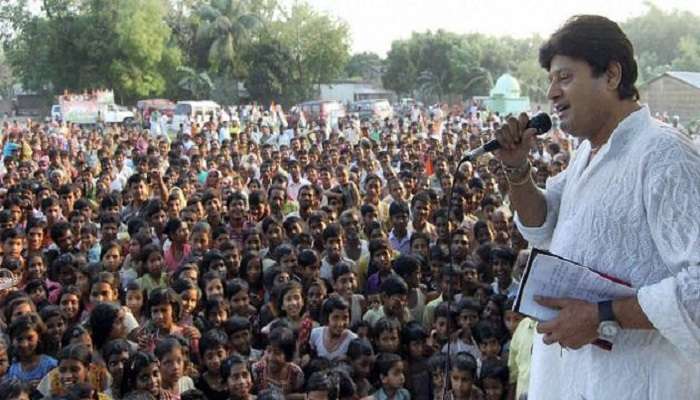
[{"x": 281, "y": 50}]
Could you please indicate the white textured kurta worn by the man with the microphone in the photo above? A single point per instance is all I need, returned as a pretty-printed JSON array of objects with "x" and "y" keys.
[{"x": 633, "y": 213}]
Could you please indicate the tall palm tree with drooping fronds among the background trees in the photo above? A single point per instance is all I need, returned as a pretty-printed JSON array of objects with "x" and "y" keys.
[{"x": 224, "y": 24}]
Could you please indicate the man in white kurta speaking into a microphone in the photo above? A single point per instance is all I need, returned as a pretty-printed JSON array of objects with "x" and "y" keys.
[{"x": 627, "y": 205}]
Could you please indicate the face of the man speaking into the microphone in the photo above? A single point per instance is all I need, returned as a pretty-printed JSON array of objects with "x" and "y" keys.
[{"x": 581, "y": 99}]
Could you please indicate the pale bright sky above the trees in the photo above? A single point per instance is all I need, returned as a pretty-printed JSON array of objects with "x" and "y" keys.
[{"x": 374, "y": 24}]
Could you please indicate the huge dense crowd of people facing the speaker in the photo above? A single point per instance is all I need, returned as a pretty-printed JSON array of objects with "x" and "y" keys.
[{"x": 244, "y": 258}]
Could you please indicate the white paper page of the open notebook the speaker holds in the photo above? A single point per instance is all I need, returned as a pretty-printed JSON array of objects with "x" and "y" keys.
[{"x": 551, "y": 276}]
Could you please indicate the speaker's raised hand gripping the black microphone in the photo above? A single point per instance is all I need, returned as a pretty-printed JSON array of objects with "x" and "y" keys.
[{"x": 515, "y": 140}]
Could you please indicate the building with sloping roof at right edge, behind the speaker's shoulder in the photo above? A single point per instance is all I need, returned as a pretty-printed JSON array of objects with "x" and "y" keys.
[{"x": 674, "y": 93}]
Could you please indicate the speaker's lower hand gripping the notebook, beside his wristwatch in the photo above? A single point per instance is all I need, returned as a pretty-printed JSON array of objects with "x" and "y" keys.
[{"x": 576, "y": 325}]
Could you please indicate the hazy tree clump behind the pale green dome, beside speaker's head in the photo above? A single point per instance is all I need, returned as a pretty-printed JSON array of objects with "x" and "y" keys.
[{"x": 434, "y": 65}]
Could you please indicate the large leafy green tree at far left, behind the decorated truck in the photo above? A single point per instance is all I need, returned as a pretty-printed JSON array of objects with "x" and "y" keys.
[{"x": 77, "y": 45}]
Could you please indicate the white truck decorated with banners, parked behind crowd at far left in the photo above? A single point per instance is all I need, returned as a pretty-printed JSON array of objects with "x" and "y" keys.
[{"x": 92, "y": 108}]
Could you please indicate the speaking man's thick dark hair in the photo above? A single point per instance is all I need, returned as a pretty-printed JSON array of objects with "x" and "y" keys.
[{"x": 598, "y": 41}]
